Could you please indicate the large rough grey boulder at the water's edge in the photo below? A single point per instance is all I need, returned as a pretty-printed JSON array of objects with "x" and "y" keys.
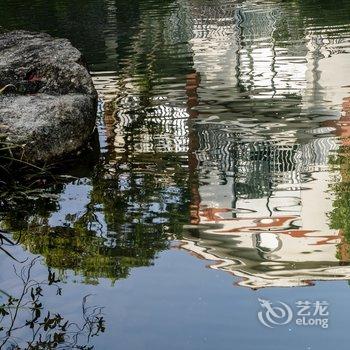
[{"x": 48, "y": 100}]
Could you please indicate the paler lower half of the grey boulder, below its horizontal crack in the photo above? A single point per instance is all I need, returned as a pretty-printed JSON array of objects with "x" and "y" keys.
[{"x": 44, "y": 127}]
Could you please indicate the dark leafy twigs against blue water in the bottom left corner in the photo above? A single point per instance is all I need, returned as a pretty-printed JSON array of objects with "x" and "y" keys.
[{"x": 25, "y": 323}]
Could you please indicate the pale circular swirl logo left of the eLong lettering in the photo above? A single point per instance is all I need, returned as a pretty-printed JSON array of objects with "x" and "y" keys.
[{"x": 274, "y": 315}]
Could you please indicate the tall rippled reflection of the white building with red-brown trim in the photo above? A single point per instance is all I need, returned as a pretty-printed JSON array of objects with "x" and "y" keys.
[{"x": 262, "y": 203}]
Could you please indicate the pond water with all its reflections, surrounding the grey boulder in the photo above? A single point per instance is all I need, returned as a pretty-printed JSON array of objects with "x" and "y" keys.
[{"x": 219, "y": 175}]
